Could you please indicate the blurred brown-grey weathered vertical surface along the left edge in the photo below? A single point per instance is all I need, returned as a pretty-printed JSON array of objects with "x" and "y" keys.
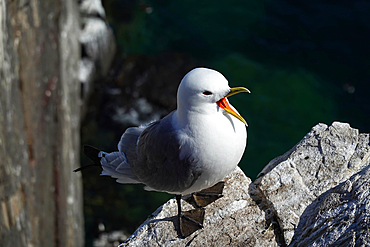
[{"x": 40, "y": 201}]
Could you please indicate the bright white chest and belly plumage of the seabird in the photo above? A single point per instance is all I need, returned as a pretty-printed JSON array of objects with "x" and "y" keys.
[{"x": 216, "y": 143}]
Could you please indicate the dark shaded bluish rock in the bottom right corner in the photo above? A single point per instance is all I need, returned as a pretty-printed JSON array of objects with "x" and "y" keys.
[{"x": 338, "y": 217}]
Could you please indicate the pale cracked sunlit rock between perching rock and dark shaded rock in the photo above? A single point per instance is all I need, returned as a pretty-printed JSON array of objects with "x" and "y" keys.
[{"x": 325, "y": 157}]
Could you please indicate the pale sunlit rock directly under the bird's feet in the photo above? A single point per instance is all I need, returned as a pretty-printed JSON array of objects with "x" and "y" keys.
[{"x": 233, "y": 220}]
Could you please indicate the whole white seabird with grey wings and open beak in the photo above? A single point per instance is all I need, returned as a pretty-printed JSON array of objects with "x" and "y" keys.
[{"x": 190, "y": 149}]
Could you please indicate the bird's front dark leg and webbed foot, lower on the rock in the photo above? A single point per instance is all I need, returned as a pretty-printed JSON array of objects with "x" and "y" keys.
[{"x": 189, "y": 221}]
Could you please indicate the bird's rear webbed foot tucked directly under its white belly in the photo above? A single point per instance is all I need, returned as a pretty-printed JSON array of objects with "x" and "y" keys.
[{"x": 207, "y": 196}]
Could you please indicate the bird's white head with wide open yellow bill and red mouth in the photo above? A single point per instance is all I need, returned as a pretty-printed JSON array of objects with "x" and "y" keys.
[{"x": 205, "y": 90}]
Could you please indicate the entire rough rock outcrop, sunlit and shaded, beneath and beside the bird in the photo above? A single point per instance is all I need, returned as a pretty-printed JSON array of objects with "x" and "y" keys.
[{"x": 316, "y": 194}]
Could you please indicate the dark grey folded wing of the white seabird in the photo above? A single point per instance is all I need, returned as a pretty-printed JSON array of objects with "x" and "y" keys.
[{"x": 157, "y": 163}]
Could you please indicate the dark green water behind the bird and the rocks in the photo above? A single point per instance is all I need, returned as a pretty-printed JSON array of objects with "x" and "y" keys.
[{"x": 304, "y": 63}]
